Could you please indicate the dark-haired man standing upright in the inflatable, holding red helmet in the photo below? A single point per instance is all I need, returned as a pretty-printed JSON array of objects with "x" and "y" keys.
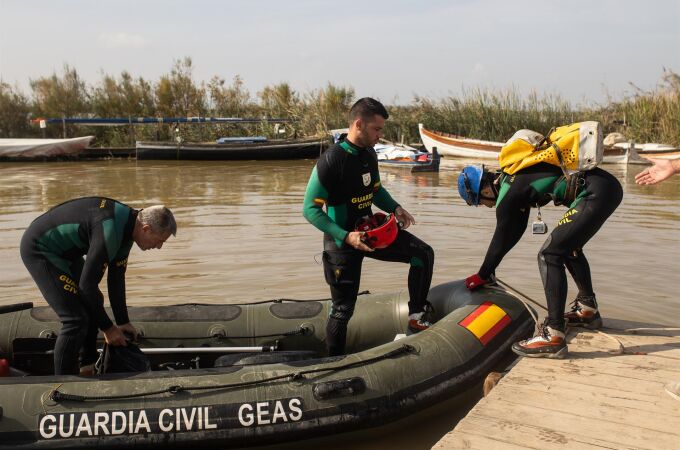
[{"x": 347, "y": 181}]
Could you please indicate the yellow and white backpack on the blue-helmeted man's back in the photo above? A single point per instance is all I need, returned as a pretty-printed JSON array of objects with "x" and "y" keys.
[{"x": 574, "y": 148}]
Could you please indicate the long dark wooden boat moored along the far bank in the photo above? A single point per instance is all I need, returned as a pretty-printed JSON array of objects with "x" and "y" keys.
[{"x": 232, "y": 150}]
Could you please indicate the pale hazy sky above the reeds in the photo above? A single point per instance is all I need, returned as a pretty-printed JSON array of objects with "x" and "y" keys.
[{"x": 390, "y": 49}]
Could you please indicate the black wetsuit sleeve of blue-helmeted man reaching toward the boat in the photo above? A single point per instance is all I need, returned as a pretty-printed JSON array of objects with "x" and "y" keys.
[{"x": 511, "y": 221}]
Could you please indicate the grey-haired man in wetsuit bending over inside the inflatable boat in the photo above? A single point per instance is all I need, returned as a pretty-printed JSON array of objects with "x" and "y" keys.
[{"x": 68, "y": 249}]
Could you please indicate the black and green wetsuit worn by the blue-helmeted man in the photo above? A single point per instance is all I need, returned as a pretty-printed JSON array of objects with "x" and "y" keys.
[{"x": 596, "y": 200}]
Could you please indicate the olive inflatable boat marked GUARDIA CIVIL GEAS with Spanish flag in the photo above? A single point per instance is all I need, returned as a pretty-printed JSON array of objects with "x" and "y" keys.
[{"x": 283, "y": 393}]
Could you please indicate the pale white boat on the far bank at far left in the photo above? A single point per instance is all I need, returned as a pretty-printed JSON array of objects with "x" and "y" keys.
[{"x": 42, "y": 149}]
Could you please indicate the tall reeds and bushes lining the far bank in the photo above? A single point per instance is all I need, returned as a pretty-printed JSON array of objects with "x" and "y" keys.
[{"x": 645, "y": 116}]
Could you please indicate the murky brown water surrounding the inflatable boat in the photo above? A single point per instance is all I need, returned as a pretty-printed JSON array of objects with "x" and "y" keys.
[{"x": 242, "y": 237}]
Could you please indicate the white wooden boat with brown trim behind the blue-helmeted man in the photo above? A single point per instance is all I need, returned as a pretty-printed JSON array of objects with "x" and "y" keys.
[{"x": 461, "y": 147}]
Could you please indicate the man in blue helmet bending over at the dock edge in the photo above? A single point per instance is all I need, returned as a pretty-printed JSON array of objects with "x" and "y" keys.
[{"x": 597, "y": 196}]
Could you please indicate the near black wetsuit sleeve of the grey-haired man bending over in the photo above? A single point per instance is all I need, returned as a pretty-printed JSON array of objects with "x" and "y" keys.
[{"x": 93, "y": 272}]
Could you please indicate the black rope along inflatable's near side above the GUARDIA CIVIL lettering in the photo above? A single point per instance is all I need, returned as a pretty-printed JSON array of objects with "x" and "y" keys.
[{"x": 405, "y": 349}]
